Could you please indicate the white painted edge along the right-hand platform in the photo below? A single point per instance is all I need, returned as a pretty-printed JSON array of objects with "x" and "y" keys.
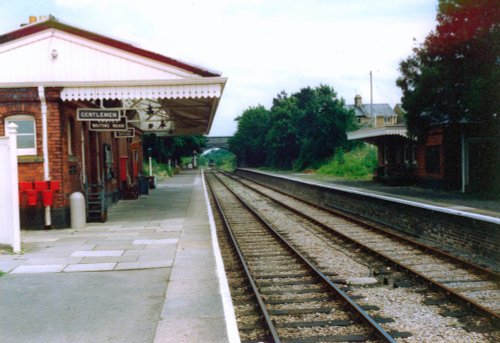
[{"x": 459, "y": 213}]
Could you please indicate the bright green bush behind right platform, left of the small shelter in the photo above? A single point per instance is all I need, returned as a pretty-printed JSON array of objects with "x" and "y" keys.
[{"x": 358, "y": 163}]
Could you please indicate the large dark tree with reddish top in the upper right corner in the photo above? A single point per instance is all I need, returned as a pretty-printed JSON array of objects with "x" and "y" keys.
[{"x": 453, "y": 77}]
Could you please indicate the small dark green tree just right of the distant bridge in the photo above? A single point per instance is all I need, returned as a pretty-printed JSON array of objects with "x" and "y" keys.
[{"x": 248, "y": 143}]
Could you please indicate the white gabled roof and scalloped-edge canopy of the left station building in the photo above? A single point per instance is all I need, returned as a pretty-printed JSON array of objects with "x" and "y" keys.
[{"x": 159, "y": 94}]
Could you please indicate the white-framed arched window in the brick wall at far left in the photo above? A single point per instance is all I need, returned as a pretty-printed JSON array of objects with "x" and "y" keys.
[{"x": 26, "y": 133}]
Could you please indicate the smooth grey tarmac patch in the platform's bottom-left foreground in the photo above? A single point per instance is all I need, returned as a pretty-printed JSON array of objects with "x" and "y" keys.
[{"x": 81, "y": 307}]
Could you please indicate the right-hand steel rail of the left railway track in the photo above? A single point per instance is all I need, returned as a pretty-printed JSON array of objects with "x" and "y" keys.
[{"x": 378, "y": 331}]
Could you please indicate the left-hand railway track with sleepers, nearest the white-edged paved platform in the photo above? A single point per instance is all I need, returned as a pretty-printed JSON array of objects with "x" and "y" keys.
[{"x": 297, "y": 302}]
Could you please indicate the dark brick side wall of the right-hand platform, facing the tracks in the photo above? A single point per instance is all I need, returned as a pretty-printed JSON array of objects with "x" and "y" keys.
[{"x": 472, "y": 239}]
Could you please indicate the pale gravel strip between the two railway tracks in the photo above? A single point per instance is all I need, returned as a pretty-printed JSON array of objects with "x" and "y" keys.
[{"x": 404, "y": 305}]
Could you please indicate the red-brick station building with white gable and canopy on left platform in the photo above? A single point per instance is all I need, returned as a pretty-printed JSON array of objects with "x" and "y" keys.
[{"x": 49, "y": 72}]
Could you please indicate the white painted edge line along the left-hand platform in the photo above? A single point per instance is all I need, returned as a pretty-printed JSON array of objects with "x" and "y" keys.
[{"x": 227, "y": 303}]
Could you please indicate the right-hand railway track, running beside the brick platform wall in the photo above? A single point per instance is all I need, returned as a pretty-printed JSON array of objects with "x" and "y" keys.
[{"x": 471, "y": 285}]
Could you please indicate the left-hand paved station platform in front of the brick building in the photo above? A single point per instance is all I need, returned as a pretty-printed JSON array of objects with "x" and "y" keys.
[{"x": 151, "y": 273}]
